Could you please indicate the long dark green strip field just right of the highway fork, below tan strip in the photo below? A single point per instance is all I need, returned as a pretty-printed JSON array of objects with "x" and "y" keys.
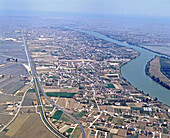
[{"x": 60, "y": 94}]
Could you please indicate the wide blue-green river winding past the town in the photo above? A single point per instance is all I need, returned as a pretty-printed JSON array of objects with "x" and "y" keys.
[{"x": 134, "y": 71}]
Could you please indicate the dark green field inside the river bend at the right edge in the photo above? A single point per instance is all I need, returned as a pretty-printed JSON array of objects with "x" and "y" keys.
[{"x": 165, "y": 66}]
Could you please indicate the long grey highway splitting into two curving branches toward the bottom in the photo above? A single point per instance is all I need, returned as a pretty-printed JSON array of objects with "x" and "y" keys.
[{"x": 39, "y": 88}]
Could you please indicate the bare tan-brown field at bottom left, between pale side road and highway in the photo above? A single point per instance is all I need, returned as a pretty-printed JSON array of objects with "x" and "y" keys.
[{"x": 30, "y": 122}]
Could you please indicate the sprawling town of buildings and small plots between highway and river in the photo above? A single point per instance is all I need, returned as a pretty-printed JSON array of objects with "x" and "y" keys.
[{"x": 88, "y": 70}]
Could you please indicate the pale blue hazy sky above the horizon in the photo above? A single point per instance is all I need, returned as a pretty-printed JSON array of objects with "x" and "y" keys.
[{"x": 125, "y": 7}]
